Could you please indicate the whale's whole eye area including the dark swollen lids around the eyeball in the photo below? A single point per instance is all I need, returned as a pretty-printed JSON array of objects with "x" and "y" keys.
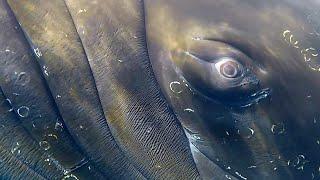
[{"x": 218, "y": 71}]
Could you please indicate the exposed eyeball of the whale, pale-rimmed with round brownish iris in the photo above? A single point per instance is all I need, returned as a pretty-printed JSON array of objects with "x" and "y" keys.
[{"x": 229, "y": 68}]
